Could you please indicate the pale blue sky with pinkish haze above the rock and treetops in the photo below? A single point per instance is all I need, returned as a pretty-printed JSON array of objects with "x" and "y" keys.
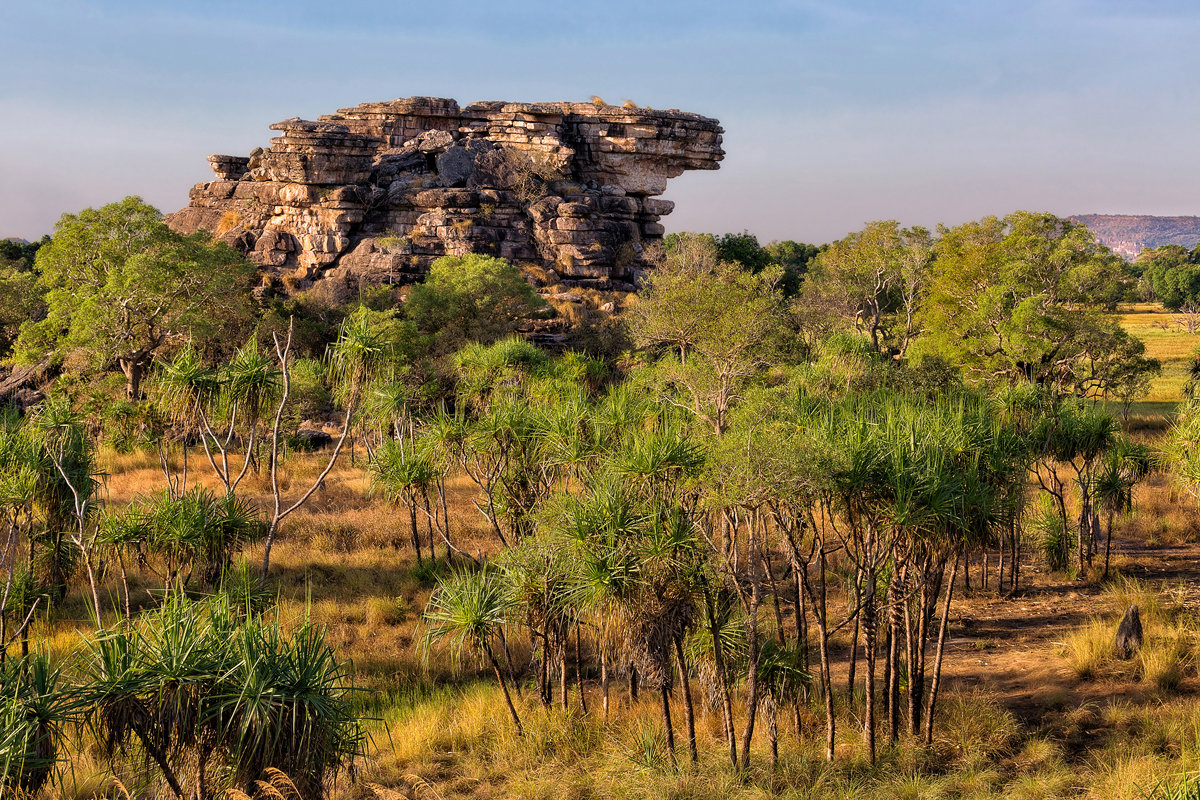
[{"x": 836, "y": 113}]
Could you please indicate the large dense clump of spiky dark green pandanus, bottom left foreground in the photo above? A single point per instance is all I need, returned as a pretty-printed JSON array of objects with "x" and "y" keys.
[{"x": 202, "y": 689}]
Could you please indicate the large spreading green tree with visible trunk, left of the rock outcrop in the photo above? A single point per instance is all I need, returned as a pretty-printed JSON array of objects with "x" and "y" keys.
[{"x": 121, "y": 286}]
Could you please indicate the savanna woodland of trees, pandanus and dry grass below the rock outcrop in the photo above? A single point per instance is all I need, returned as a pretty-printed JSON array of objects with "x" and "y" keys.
[{"x": 851, "y": 521}]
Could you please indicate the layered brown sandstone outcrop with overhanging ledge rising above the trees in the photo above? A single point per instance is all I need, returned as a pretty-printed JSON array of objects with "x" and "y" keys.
[{"x": 379, "y": 191}]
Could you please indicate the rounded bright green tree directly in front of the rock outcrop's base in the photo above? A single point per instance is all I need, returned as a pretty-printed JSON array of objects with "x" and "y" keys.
[{"x": 471, "y": 299}]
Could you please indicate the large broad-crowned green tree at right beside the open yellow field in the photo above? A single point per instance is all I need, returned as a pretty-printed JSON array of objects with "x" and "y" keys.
[{"x": 1024, "y": 299}]
